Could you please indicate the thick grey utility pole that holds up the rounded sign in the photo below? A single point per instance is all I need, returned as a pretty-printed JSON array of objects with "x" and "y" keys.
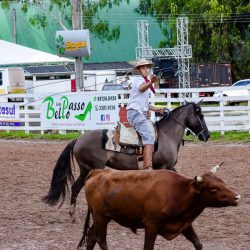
[{"x": 77, "y": 25}]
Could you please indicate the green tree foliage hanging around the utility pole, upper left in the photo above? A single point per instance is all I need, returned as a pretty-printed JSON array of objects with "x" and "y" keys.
[{"x": 61, "y": 12}]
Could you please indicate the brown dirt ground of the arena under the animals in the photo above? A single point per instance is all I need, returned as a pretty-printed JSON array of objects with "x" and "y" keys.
[{"x": 28, "y": 224}]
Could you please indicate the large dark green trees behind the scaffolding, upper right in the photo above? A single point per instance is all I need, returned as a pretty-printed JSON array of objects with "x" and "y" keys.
[{"x": 219, "y": 30}]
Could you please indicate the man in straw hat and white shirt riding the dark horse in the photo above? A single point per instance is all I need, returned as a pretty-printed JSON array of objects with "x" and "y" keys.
[{"x": 138, "y": 108}]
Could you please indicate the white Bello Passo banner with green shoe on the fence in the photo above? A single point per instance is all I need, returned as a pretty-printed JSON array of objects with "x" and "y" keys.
[{"x": 83, "y": 111}]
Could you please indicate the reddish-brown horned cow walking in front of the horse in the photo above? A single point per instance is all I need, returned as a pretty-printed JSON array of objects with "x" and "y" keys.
[{"x": 162, "y": 201}]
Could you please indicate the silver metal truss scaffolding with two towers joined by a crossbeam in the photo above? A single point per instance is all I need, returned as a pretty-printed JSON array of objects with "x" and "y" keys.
[{"x": 182, "y": 51}]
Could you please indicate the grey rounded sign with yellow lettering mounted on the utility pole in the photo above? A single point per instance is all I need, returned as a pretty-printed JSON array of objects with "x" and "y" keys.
[{"x": 73, "y": 43}]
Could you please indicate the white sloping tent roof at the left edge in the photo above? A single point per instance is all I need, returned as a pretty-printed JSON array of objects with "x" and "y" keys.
[{"x": 14, "y": 54}]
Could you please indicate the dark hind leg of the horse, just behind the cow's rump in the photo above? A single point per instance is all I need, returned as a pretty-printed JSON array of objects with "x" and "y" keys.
[{"x": 75, "y": 190}]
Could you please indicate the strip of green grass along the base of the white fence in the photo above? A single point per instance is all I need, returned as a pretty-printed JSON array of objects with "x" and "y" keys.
[{"x": 229, "y": 137}]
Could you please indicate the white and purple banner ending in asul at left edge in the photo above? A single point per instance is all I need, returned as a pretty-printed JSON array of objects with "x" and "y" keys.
[{"x": 9, "y": 115}]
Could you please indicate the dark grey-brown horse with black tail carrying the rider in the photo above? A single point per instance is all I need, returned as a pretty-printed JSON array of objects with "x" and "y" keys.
[{"x": 90, "y": 153}]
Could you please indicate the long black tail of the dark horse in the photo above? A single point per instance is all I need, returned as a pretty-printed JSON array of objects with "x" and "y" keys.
[{"x": 61, "y": 175}]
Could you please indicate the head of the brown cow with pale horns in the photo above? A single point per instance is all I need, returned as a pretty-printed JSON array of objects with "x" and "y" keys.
[{"x": 213, "y": 192}]
